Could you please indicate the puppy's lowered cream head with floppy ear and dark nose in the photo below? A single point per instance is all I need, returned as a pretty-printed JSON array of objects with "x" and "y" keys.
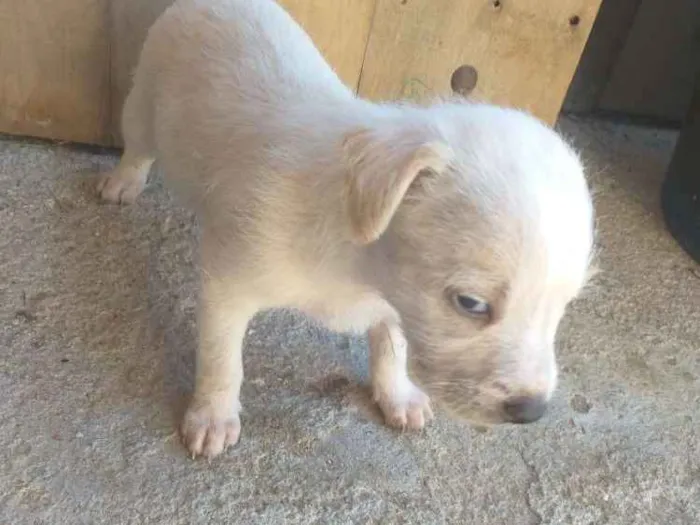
[{"x": 485, "y": 223}]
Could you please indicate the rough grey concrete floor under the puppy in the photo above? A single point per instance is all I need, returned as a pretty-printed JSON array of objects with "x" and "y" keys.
[{"x": 97, "y": 339}]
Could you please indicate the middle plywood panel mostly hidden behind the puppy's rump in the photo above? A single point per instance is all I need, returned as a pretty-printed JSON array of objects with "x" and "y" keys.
[{"x": 340, "y": 29}]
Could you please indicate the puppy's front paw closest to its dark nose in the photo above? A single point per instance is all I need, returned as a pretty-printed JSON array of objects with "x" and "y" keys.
[{"x": 404, "y": 406}]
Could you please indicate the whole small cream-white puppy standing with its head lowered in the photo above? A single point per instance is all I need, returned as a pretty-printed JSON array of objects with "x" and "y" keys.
[{"x": 455, "y": 233}]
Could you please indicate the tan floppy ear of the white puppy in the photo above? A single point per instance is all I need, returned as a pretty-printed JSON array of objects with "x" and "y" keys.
[{"x": 382, "y": 168}]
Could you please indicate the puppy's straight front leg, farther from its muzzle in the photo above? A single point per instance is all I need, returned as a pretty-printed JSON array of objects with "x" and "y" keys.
[{"x": 212, "y": 423}]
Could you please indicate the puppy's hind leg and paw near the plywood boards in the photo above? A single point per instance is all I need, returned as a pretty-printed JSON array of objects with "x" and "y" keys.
[{"x": 126, "y": 182}]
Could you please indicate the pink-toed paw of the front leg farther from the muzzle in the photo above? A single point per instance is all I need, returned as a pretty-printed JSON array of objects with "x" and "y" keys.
[{"x": 207, "y": 432}]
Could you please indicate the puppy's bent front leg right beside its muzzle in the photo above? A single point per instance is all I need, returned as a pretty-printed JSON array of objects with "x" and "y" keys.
[{"x": 402, "y": 403}]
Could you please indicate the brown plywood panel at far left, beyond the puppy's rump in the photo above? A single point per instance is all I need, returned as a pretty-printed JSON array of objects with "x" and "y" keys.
[{"x": 54, "y": 69}]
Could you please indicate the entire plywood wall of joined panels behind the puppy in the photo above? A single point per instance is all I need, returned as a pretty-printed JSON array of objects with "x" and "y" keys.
[{"x": 66, "y": 65}]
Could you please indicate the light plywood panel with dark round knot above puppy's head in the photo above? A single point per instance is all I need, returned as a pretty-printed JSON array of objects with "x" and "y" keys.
[{"x": 525, "y": 51}]
